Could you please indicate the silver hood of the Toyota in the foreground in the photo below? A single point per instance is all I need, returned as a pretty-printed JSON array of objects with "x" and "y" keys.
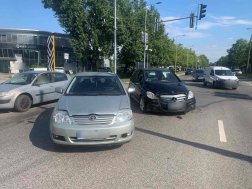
[{"x": 85, "y": 105}]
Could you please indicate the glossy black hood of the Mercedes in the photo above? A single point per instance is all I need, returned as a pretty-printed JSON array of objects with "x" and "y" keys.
[{"x": 166, "y": 88}]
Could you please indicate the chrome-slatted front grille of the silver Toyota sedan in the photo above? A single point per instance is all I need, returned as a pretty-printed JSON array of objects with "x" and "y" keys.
[{"x": 100, "y": 120}]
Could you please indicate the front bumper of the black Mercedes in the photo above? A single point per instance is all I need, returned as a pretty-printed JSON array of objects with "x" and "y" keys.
[{"x": 161, "y": 106}]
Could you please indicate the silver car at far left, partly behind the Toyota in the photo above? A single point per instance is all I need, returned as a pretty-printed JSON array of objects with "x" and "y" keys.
[{"x": 33, "y": 87}]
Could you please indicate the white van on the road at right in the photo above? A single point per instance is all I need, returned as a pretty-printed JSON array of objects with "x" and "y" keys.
[{"x": 220, "y": 76}]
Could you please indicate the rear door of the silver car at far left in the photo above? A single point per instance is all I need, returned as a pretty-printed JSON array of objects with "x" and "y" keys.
[{"x": 59, "y": 80}]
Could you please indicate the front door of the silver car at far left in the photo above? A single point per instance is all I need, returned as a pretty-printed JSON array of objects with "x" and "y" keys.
[{"x": 43, "y": 88}]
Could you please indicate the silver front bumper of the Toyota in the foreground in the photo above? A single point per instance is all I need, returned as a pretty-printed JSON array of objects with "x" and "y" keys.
[{"x": 115, "y": 134}]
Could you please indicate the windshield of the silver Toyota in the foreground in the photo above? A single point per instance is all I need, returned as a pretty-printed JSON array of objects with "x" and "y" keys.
[{"x": 95, "y": 86}]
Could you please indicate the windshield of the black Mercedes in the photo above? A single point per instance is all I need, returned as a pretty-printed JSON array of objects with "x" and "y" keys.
[{"x": 160, "y": 75}]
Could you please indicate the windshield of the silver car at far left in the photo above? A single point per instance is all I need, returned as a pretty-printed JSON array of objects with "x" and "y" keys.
[{"x": 22, "y": 79}]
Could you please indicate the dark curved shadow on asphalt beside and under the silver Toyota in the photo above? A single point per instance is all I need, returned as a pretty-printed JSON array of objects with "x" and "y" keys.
[{"x": 40, "y": 137}]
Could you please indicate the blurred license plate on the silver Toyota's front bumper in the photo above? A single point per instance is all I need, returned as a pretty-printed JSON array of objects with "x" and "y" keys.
[{"x": 94, "y": 134}]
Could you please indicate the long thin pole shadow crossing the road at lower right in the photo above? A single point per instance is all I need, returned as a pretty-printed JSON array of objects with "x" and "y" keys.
[{"x": 199, "y": 146}]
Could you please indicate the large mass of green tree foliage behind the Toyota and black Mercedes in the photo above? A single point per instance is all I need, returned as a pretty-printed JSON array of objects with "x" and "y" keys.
[{"x": 90, "y": 24}]
